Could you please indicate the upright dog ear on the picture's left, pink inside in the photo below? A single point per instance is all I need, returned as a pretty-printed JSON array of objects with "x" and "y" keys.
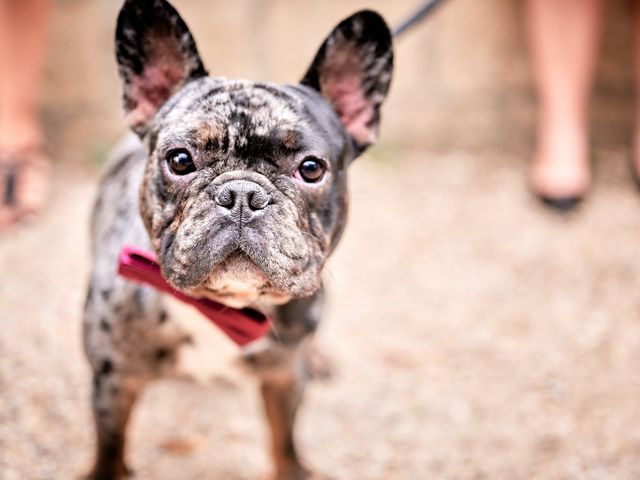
[{"x": 156, "y": 55}]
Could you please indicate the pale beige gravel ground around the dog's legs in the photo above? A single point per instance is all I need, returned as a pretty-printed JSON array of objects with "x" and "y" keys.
[{"x": 474, "y": 335}]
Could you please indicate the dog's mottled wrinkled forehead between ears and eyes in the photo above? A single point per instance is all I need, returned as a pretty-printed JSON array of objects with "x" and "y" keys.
[{"x": 249, "y": 119}]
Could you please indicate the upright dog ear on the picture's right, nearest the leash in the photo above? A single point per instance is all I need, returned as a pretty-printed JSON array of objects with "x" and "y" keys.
[{"x": 352, "y": 70}]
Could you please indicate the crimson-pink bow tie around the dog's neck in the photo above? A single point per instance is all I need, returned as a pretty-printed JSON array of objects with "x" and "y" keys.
[{"x": 240, "y": 325}]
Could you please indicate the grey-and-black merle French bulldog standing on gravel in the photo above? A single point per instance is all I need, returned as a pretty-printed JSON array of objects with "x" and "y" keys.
[{"x": 239, "y": 188}]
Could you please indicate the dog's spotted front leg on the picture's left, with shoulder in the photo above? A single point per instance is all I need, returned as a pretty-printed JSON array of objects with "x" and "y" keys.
[{"x": 129, "y": 341}]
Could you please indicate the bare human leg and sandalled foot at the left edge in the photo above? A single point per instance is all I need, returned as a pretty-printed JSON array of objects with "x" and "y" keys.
[{"x": 25, "y": 171}]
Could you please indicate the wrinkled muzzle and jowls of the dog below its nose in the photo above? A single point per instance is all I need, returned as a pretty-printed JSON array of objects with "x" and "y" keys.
[{"x": 269, "y": 262}]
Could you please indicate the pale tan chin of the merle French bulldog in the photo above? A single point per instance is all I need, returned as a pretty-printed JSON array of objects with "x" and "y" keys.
[{"x": 238, "y": 282}]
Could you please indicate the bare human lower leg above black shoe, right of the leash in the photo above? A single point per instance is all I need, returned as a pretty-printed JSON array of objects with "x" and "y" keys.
[{"x": 563, "y": 37}]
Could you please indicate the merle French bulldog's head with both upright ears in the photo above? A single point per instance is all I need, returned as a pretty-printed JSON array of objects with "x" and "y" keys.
[{"x": 244, "y": 193}]
